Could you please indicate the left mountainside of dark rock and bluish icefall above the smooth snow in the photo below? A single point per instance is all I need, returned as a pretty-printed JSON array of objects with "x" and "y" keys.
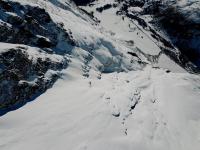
[{"x": 59, "y": 29}]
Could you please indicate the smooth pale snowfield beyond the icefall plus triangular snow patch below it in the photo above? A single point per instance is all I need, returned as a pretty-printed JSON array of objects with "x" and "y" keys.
[{"x": 126, "y": 30}]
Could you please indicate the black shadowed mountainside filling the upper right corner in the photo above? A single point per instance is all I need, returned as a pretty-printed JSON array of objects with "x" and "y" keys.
[{"x": 183, "y": 30}]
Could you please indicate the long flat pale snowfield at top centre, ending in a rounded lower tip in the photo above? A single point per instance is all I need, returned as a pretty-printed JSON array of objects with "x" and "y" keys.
[{"x": 123, "y": 29}]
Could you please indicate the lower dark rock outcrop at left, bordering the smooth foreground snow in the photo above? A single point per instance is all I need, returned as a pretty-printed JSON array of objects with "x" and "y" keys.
[{"x": 22, "y": 77}]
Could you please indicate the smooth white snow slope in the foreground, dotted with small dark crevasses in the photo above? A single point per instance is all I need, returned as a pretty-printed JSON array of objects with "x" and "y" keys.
[{"x": 96, "y": 114}]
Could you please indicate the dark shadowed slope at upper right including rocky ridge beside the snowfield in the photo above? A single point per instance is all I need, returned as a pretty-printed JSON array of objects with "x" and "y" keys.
[{"x": 183, "y": 32}]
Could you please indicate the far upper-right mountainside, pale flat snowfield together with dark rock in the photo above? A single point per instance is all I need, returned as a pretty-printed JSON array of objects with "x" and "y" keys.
[{"x": 163, "y": 26}]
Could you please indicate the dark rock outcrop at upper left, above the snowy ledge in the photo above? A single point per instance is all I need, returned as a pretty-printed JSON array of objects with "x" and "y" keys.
[{"x": 30, "y": 25}]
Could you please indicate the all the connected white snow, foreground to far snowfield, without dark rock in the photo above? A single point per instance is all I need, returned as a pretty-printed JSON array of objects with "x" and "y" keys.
[{"x": 106, "y": 98}]
